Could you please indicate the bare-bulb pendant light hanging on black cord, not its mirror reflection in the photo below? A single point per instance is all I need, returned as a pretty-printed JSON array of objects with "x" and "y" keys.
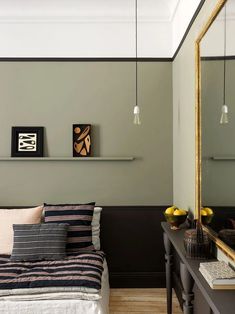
[{"x": 136, "y": 108}]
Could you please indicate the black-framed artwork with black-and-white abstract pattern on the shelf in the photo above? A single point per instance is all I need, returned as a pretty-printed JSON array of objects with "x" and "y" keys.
[{"x": 27, "y": 141}]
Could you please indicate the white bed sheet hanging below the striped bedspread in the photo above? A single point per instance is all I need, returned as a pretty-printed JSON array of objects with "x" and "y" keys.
[{"x": 62, "y": 306}]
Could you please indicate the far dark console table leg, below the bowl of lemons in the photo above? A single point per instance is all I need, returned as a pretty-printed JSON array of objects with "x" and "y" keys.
[{"x": 168, "y": 257}]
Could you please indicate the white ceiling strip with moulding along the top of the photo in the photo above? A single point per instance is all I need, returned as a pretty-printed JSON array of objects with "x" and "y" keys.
[{"x": 154, "y": 9}]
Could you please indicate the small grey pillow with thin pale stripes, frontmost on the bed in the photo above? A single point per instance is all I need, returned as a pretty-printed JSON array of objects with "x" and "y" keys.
[{"x": 39, "y": 242}]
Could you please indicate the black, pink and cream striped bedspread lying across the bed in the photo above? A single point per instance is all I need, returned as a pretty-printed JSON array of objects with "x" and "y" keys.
[{"x": 81, "y": 272}]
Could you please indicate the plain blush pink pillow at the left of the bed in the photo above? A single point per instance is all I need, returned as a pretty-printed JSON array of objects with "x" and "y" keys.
[{"x": 8, "y": 217}]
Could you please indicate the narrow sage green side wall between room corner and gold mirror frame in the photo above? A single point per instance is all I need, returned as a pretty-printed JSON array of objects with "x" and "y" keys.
[{"x": 184, "y": 114}]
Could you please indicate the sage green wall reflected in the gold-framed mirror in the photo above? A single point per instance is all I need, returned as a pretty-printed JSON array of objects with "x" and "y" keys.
[{"x": 217, "y": 140}]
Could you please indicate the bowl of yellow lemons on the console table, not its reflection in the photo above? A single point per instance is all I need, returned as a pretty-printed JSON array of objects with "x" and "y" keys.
[{"x": 175, "y": 216}]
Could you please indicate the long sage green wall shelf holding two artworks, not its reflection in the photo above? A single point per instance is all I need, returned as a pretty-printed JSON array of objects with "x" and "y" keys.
[{"x": 66, "y": 158}]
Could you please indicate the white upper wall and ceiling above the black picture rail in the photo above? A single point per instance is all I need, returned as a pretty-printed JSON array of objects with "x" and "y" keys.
[{"x": 92, "y": 28}]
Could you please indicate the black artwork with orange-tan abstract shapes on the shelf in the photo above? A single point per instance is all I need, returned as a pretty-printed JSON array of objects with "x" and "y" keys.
[{"x": 81, "y": 140}]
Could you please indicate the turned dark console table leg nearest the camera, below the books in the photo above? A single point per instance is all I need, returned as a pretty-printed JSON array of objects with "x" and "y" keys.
[{"x": 187, "y": 282}]
